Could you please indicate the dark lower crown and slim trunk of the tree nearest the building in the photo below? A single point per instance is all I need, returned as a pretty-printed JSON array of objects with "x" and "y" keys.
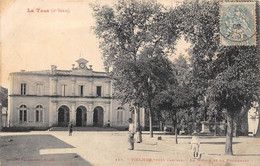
[{"x": 139, "y": 81}]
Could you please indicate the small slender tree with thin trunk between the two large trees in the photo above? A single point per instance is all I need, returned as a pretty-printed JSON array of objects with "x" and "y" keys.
[{"x": 179, "y": 95}]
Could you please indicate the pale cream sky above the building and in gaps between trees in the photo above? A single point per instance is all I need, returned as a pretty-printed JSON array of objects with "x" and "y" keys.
[{"x": 34, "y": 41}]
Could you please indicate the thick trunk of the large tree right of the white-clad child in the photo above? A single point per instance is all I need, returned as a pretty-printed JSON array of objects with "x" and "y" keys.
[{"x": 229, "y": 136}]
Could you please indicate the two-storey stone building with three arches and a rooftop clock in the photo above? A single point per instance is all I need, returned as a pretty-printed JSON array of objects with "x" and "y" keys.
[{"x": 57, "y": 97}]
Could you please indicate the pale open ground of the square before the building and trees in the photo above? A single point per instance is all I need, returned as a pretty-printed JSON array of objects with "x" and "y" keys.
[{"x": 111, "y": 148}]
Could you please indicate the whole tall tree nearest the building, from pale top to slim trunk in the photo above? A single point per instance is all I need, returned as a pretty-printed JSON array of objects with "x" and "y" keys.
[{"x": 133, "y": 36}]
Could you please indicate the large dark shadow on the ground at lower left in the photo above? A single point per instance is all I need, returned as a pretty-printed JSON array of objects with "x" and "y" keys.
[{"x": 25, "y": 150}]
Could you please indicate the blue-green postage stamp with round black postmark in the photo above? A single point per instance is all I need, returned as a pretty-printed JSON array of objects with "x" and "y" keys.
[{"x": 237, "y": 24}]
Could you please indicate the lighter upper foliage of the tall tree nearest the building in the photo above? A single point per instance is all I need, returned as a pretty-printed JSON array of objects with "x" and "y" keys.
[{"x": 131, "y": 29}]
